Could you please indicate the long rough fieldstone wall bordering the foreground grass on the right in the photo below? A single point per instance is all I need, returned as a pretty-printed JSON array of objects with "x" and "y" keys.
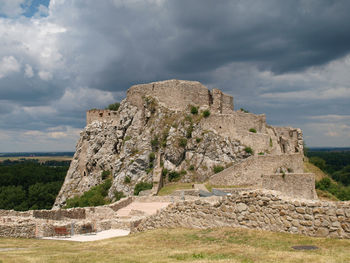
[{"x": 257, "y": 209}]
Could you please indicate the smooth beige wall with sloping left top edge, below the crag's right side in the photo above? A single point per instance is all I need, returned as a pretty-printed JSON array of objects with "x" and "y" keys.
[{"x": 248, "y": 172}]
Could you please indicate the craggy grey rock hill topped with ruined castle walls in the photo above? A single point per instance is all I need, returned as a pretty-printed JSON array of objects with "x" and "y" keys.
[{"x": 158, "y": 121}]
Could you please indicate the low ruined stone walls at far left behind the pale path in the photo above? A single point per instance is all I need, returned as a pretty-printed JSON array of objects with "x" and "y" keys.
[{"x": 39, "y": 223}]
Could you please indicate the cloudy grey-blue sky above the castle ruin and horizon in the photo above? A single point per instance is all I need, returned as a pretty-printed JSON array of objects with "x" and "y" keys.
[{"x": 59, "y": 58}]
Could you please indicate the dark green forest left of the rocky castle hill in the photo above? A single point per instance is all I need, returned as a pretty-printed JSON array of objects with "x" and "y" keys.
[{"x": 26, "y": 185}]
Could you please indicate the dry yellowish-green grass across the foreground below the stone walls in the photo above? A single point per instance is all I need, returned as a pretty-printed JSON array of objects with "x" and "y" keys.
[{"x": 162, "y": 245}]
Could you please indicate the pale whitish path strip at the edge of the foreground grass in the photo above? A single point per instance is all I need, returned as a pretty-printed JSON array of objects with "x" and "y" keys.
[{"x": 93, "y": 237}]
